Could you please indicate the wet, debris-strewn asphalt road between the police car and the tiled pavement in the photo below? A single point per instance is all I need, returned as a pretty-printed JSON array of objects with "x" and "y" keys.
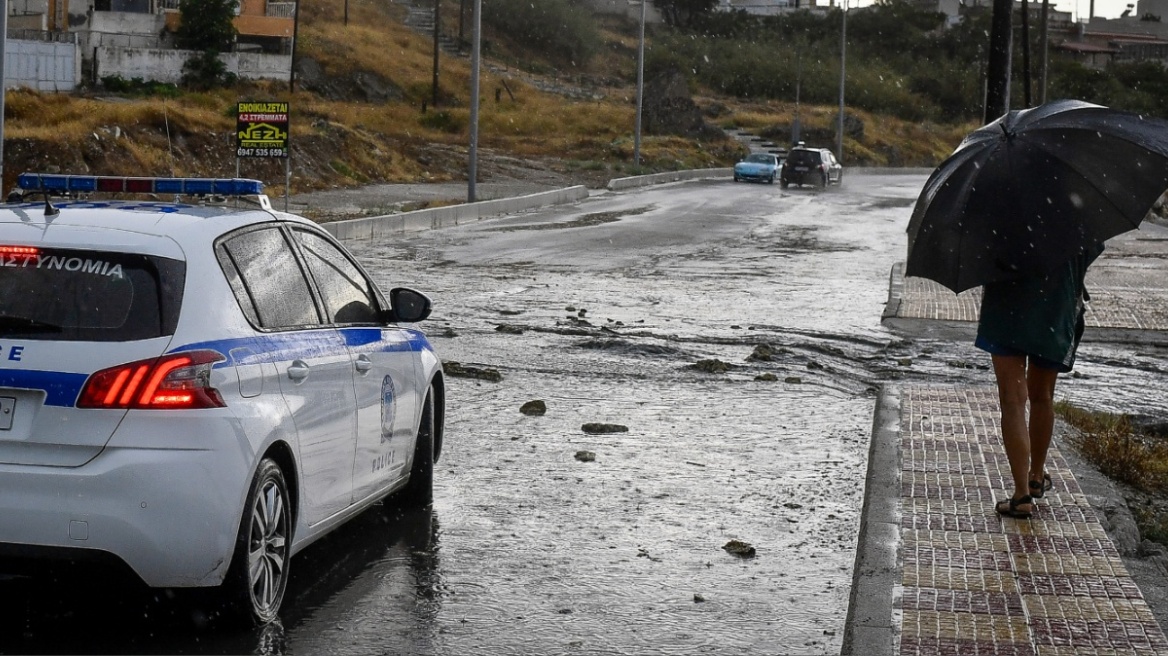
[{"x": 733, "y": 330}]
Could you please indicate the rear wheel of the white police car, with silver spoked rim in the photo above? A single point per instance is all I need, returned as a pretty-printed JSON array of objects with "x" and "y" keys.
[{"x": 260, "y": 568}]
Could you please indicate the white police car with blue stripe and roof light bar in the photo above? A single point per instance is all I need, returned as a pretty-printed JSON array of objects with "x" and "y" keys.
[{"x": 199, "y": 390}]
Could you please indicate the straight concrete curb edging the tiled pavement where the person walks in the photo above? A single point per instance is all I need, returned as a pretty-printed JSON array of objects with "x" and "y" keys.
[{"x": 871, "y": 629}]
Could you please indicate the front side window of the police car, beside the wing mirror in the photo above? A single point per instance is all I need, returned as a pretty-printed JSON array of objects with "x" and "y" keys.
[{"x": 347, "y": 294}]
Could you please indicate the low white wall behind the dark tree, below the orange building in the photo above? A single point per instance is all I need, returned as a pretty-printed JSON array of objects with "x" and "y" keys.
[{"x": 166, "y": 66}]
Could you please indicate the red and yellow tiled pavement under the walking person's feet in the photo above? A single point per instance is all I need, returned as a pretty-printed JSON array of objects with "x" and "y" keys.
[{"x": 974, "y": 583}]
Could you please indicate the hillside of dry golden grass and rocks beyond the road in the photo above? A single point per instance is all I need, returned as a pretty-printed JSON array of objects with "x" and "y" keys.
[{"x": 364, "y": 113}]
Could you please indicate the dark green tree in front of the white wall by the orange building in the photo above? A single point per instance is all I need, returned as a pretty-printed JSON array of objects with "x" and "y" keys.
[{"x": 208, "y": 27}]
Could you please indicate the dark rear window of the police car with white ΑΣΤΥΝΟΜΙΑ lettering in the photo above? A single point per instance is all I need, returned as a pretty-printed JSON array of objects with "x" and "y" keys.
[{"x": 88, "y": 296}]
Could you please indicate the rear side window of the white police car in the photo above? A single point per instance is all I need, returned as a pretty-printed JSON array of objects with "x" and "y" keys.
[{"x": 268, "y": 283}]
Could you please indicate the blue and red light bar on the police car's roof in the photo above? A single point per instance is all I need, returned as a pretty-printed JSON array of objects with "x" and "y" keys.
[{"x": 189, "y": 186}]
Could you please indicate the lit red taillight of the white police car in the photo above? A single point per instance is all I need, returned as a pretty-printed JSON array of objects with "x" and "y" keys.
[{"x": 176, "y": 381}]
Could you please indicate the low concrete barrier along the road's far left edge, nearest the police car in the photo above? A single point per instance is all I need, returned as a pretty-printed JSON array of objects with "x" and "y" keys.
[{"x": 397, "y": 225}]
